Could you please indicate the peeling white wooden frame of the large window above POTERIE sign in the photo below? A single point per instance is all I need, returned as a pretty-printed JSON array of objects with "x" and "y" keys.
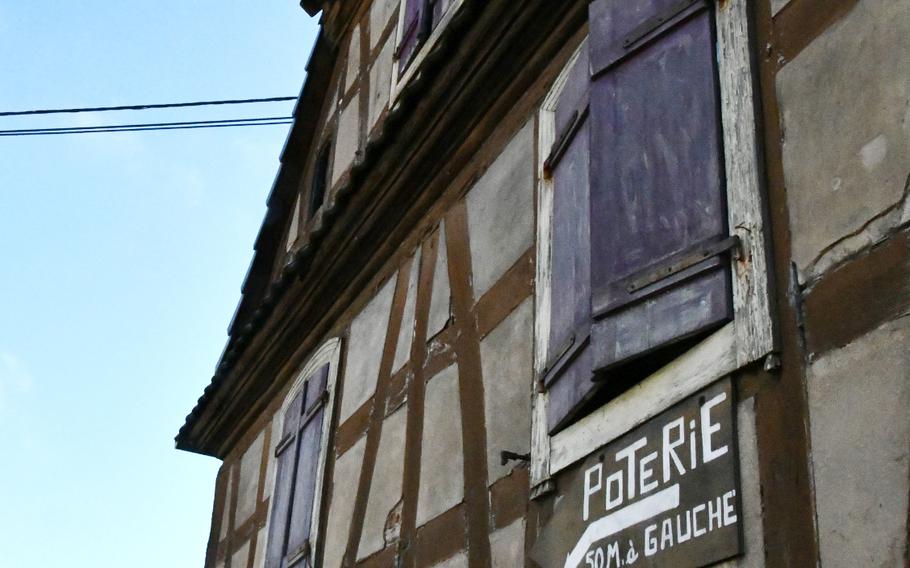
[{"x": 748, "y": 338}]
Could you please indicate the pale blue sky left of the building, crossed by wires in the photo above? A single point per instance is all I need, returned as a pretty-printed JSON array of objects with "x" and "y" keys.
[{"x": 121, "y": 257}]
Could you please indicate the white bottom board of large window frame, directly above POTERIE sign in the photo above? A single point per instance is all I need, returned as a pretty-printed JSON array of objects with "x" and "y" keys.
[{"x": 708, "y": 361}]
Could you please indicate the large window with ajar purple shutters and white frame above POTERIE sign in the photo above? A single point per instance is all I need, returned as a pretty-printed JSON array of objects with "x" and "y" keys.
[{"x": 649, "y": 138}]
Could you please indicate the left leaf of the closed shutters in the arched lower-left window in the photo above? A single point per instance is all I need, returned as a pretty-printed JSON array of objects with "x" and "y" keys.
[{"x": 286, "y": 454}]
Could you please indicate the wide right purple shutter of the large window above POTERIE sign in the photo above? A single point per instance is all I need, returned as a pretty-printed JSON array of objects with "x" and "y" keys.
[{"x": 658, "y": 211}]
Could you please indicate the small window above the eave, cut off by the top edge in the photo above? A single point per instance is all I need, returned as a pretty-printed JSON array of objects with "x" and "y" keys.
[{"x": 419, "y": 22}]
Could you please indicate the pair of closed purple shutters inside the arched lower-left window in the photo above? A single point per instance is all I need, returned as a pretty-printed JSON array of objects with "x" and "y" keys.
[{"x": 298, "y": 460}]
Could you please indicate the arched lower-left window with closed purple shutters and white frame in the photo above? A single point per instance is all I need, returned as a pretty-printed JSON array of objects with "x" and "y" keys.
[{"x": 300, "y": 457}]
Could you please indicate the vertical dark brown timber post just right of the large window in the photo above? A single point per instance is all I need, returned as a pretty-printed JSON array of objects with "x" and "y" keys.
[{"x": 785, "y": 472}]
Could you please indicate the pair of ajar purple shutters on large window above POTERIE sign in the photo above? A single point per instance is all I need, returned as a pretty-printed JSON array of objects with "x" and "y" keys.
[{"x": 640, "y": 241}]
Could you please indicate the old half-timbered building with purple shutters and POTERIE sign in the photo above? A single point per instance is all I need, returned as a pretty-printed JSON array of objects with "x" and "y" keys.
[{"x": 577, "y": 283}]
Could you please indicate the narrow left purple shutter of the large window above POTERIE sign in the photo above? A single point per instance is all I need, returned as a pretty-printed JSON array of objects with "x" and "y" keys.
[{"x": 567, "y": 376}]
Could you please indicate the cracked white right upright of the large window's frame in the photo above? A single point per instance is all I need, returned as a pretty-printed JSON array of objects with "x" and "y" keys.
[{"x": 745, "y": 207}]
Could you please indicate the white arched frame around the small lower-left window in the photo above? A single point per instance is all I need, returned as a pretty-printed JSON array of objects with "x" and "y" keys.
[{"x": 329, "y": 352}]
